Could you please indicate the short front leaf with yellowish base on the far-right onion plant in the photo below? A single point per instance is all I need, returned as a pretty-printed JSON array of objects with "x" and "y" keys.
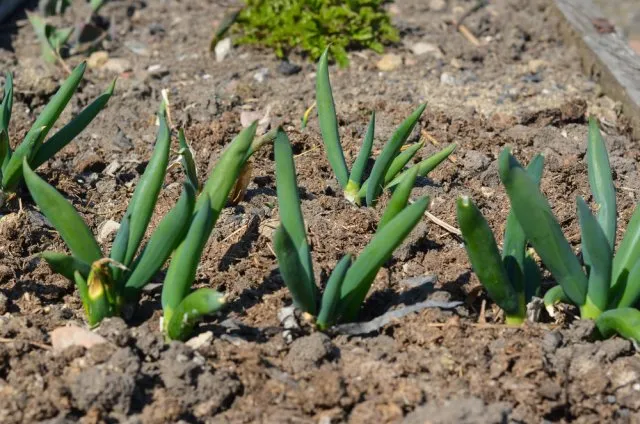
[{"x": 599, "y": 253}]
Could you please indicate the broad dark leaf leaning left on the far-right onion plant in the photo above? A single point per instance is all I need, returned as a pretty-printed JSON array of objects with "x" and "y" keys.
[{"x": 541, "y": 228}]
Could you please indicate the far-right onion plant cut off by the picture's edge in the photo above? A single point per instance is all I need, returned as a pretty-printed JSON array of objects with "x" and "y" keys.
[{"x": 604, "y": 286}]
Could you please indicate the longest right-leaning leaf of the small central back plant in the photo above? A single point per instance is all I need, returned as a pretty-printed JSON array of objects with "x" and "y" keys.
[{"x": 389, "y": 152}]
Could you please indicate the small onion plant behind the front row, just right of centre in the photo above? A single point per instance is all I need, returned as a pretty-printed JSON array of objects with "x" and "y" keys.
[{"x": 388, "y": 168}]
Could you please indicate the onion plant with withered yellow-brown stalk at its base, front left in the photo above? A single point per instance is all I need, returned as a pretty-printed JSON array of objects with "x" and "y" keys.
[{"x": 105, "y": 282}]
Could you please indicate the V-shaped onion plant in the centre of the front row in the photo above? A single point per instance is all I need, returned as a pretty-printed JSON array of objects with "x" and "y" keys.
[{"x": 350, "y": 280}]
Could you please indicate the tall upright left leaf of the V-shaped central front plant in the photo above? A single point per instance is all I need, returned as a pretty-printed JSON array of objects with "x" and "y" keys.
[{"x": 293, "y": 234}]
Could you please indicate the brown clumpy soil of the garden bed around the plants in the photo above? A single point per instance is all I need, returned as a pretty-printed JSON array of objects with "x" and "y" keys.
[{"x": 522, "y": 87}]
